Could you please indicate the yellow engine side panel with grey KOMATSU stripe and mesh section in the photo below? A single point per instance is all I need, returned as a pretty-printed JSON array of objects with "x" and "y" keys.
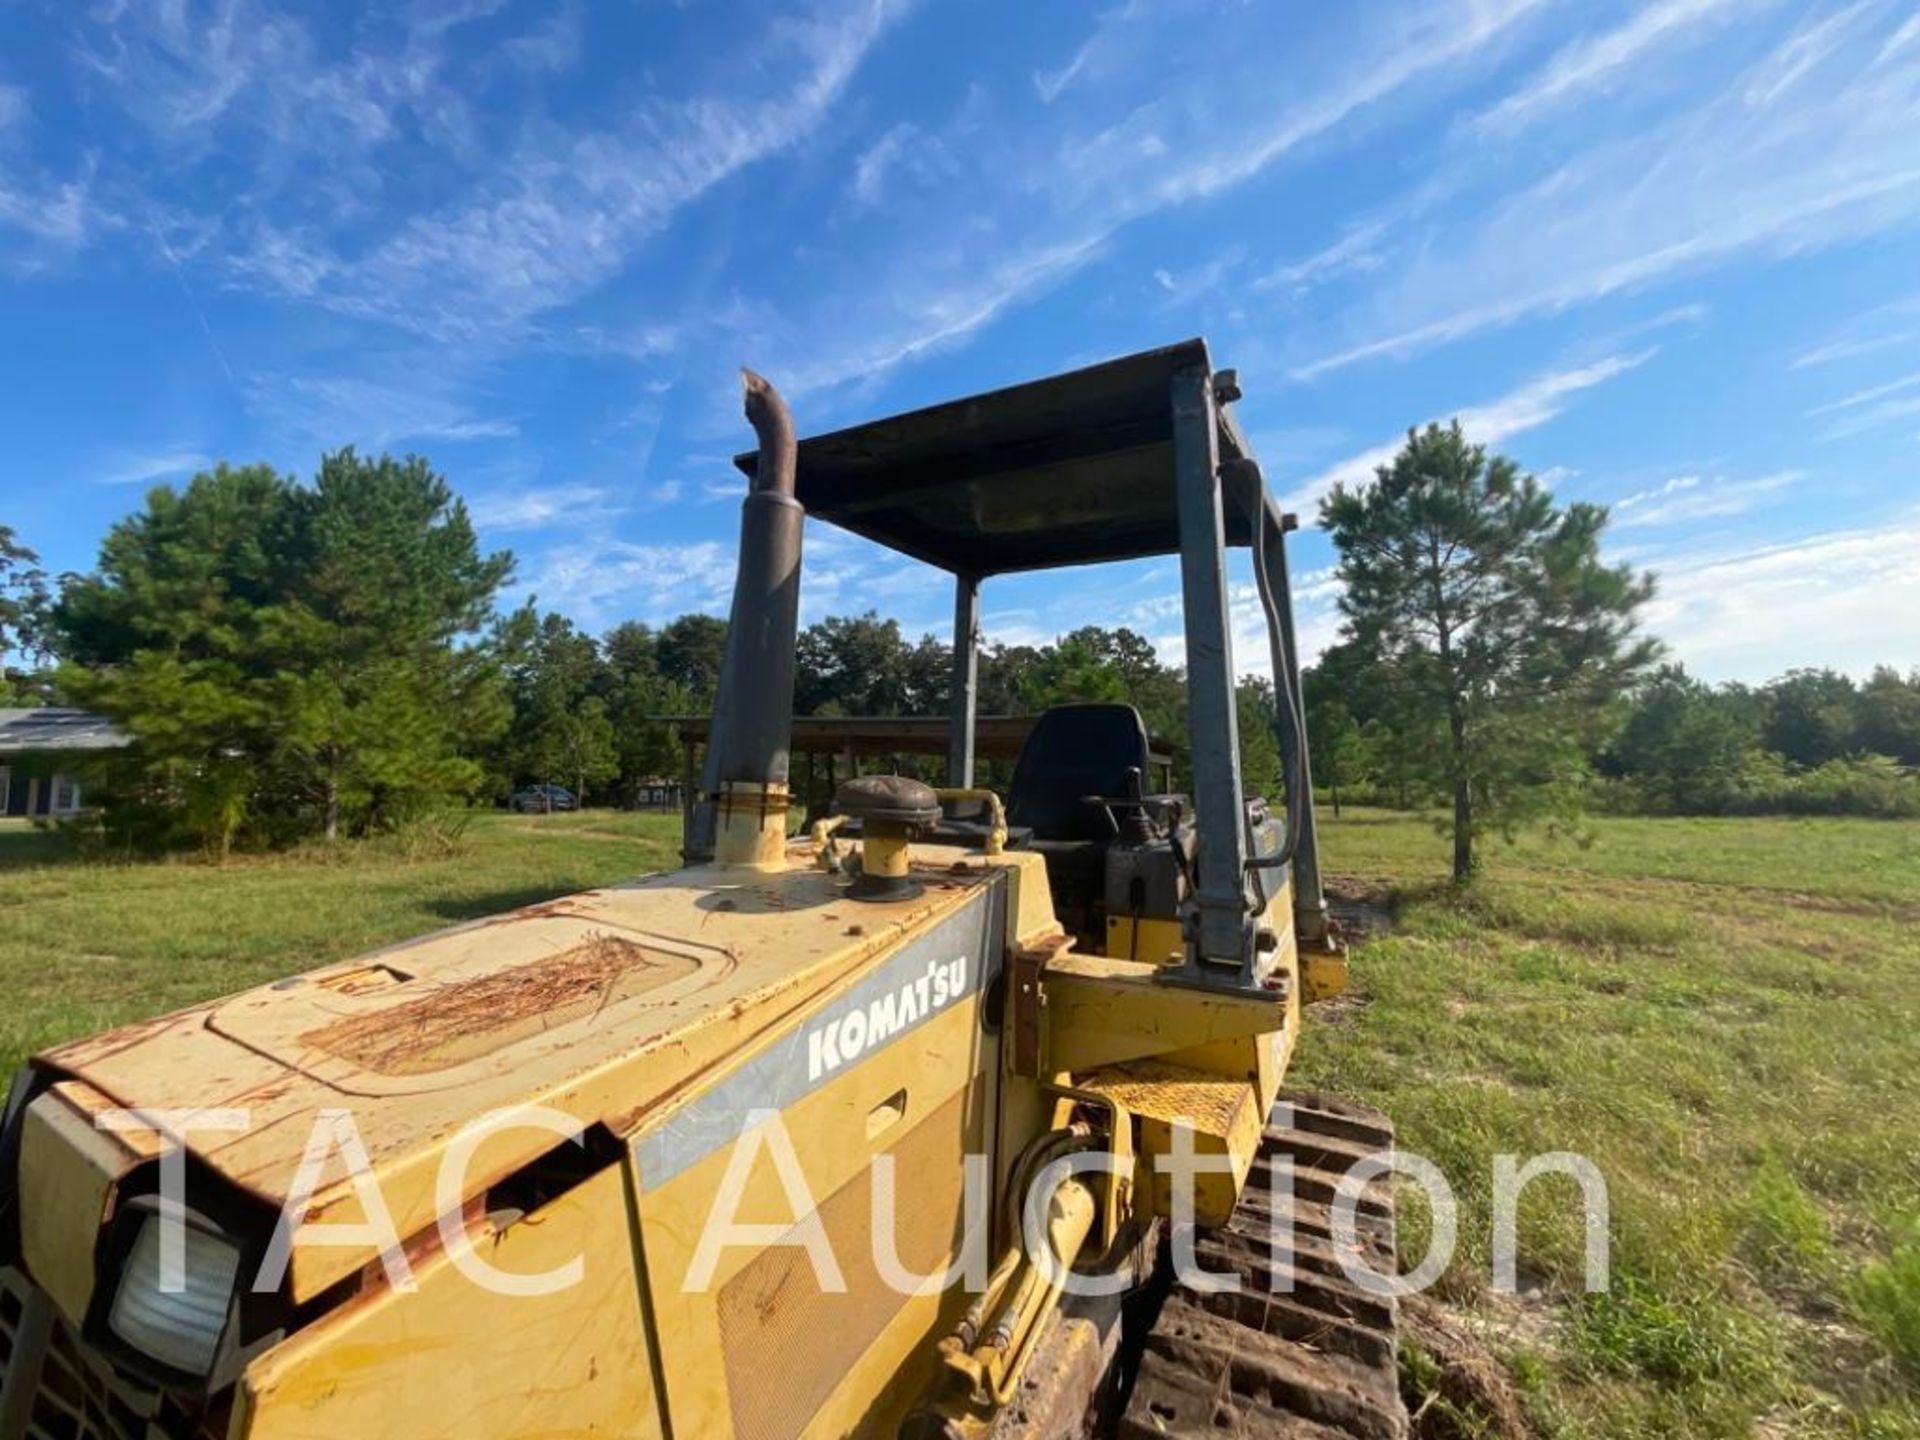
[{"x": 759, "y": 1339}]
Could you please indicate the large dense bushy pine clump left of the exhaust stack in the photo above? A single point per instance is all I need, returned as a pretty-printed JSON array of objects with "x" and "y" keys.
[{"x": 289, "y": 658}]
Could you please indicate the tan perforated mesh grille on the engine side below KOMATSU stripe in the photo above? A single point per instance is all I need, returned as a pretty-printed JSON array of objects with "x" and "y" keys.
[{"x": 775, "y": 1308}]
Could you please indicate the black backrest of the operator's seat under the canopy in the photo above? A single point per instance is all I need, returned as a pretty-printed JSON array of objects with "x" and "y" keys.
[{"x": 1076, "y": 752}]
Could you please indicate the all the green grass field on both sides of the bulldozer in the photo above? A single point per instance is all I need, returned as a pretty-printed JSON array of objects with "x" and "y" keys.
[{"x": 1723, "y": 1015}]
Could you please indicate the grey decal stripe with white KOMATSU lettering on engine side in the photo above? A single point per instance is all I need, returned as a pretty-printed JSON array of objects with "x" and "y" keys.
[{"x": 928, "y": 976}]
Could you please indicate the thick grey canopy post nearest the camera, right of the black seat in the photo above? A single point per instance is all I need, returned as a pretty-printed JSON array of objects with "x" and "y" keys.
[{"x": 1220, "y": 932}]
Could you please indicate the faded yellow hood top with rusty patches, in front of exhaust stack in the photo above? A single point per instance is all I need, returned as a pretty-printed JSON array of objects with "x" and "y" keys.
[{"x": 602, "y": 1005}]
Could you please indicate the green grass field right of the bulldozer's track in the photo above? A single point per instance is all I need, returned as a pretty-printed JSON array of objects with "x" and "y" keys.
[{"x": 1725, "y": 1017}]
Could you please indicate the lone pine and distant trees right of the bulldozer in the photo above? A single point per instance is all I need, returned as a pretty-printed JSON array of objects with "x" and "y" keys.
[{"x": 1493, "y": 663}]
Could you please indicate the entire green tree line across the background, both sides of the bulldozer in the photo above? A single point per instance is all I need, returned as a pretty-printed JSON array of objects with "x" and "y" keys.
[{"x": 329, "y": 660}]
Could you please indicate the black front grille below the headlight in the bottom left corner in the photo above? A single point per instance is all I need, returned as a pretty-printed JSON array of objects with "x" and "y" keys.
[{"x": 78, "y": 1397}]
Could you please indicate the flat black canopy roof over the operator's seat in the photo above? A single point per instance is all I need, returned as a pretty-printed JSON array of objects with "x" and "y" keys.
[{"x": 1065, "y": 471}]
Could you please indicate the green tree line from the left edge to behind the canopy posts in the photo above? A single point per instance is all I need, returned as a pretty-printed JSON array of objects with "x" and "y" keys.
[{"x": 327, "y": 660}]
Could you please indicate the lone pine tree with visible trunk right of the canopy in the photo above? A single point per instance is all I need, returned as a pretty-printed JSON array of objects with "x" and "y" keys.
[{"x": 1493, "y": 608}]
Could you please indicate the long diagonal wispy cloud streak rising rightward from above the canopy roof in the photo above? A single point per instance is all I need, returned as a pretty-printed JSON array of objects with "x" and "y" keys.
[{"x": 1028, "y": 216}]
